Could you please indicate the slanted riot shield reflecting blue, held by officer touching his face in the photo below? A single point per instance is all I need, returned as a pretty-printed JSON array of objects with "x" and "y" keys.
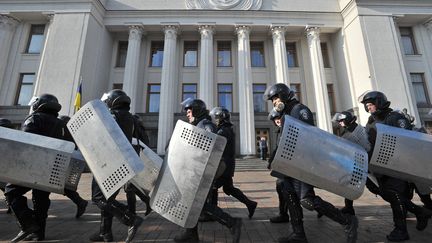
[{"x": 321, "y": 159}]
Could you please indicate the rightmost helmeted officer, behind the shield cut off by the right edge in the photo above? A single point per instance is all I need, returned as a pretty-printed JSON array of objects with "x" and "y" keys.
[{"x": 392, "y": 190}]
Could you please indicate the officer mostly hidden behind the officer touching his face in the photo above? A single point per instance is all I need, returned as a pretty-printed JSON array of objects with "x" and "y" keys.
[{"x": 283, "y": 216}]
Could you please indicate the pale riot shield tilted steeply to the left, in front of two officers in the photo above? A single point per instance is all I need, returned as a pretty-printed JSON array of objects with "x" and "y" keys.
[{"x": 107, "y": 151}]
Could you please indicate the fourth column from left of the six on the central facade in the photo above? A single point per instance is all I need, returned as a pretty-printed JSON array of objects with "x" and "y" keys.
[{"x": 247, "y": 123}]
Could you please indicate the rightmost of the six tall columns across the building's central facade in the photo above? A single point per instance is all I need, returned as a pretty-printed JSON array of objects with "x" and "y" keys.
[{"x": 319, "y": 80}]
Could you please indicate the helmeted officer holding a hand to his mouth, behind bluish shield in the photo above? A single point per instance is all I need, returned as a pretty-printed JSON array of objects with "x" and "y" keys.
[{"x": 295, "y": 191}]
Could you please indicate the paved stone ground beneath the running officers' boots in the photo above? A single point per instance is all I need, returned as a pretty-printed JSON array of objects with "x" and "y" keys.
[{"x": 251, "y": 177}]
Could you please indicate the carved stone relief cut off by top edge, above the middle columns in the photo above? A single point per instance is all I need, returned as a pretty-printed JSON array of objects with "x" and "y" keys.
[{"x": 224, "y": 4}]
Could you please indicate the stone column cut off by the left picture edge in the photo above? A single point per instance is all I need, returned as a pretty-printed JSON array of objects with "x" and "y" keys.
[{"x": 7, "y": 29}]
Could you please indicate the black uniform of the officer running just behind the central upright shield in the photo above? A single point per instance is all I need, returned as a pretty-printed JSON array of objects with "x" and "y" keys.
[{"x": 226, "y": 180}]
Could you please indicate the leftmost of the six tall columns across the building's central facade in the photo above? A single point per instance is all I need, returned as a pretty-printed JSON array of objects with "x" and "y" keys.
[{"x": 130, "y": 80}]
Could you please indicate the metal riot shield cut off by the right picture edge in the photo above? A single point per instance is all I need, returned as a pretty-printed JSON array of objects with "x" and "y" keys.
[{"x": 402, "y": 154}]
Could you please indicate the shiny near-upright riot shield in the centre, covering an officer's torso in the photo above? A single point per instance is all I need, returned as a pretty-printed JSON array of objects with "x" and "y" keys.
[{"x": 187, "y": 174}]
